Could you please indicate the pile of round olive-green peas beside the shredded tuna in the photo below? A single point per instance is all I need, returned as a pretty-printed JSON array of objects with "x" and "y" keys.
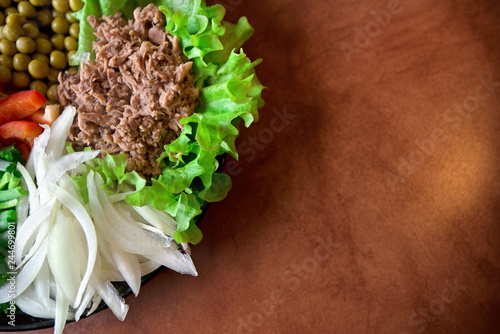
[{"x": 37, "y": 37}]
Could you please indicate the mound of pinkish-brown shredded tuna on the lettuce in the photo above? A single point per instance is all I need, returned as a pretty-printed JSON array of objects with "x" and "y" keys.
[{"x": 132, "y": 97}]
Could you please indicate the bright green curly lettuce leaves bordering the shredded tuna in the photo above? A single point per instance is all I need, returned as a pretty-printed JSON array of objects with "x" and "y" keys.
[{"x": 229, "y": 92}]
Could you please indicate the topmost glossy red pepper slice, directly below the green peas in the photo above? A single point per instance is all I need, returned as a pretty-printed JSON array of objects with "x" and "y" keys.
[{"x": 20, "y": 105}]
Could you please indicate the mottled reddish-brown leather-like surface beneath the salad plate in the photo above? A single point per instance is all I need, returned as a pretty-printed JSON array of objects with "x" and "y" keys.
[{"x": 366, "y": 199}]
